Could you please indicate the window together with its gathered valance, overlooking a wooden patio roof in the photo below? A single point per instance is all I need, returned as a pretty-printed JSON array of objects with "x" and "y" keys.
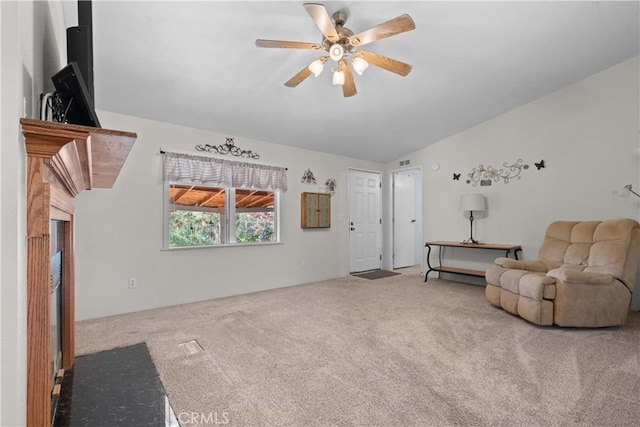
[{"x": 208, "y": 215}]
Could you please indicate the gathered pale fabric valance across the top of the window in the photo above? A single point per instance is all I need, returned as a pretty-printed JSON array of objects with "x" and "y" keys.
[{"x": 188, "y": 169}]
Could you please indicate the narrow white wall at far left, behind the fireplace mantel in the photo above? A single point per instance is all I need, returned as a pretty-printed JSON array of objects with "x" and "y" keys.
[{"x": 29, "y": 54}]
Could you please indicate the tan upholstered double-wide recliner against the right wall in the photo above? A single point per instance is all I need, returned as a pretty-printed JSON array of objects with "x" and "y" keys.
[{"x": 584, "y": 276}]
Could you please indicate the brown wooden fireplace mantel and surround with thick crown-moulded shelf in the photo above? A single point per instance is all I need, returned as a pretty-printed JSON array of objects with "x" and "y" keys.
[{"x": 62, "y": 161}]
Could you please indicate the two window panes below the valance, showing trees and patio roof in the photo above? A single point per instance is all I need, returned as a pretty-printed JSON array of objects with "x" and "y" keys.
[{"x": 198, "y": 216}]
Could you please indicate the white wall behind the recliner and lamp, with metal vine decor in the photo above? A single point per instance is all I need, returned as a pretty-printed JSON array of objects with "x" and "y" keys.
[{"x": 587, "y": 134}]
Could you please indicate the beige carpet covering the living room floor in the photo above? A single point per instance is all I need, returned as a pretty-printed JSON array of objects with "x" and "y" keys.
[{"x": 389, "y": 352}]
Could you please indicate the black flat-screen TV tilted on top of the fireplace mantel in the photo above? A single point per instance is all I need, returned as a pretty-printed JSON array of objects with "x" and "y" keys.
[{"x": 76, "y": 106}]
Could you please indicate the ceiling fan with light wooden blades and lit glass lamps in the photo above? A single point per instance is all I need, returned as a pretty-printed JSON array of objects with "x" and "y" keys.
[{"x": 343, "y": 47}]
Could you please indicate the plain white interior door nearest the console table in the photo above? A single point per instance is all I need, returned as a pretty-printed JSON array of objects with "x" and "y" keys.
[{"x": 404, "y": 219}]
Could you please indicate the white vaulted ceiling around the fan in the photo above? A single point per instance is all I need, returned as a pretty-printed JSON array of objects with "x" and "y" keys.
[{"x": 196, "y": 64}]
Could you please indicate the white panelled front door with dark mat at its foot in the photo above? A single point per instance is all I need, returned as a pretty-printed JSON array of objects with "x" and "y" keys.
[{"x": 365, "y": 221}]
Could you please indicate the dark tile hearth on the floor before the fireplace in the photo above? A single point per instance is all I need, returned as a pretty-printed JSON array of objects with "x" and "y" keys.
[{"x": 118, "y": 387}]
